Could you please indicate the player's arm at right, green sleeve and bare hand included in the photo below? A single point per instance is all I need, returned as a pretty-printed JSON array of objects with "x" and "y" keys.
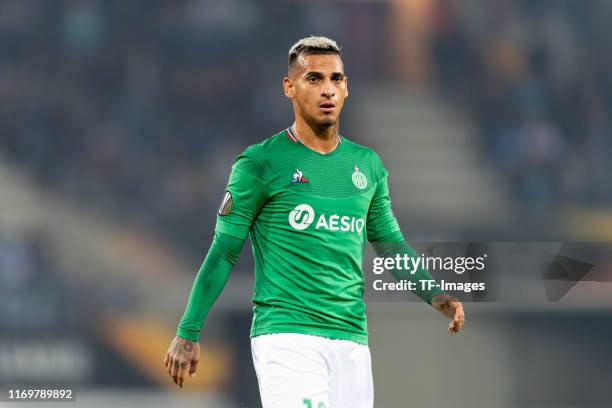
[{"x": 385, "y": 235}]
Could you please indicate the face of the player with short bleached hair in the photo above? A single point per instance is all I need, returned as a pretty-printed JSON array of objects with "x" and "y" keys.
[{"x": 317, "y": 86}]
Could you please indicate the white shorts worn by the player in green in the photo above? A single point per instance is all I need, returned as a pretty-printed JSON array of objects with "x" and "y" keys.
[{"x": 304, "y": 371}]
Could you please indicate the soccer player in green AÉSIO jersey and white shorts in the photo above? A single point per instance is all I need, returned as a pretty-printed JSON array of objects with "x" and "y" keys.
[{"x": 309, "y": 198}]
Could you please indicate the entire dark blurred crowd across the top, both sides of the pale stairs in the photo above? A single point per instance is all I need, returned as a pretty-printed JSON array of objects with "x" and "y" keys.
[{"x": 137, "y": 108}]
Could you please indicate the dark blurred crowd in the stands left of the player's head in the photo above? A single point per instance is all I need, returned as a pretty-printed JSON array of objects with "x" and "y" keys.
[{"x": 138, "y": 108}]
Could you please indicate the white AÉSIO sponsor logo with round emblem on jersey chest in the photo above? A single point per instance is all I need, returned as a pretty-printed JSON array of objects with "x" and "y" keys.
[{"x": 303, "y": 215}]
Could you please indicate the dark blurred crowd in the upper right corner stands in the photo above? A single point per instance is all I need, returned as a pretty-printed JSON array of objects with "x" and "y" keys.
[{"x": 535, "y": 74}]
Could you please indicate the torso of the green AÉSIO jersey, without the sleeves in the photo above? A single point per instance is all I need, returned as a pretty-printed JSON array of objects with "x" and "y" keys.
[{"x": 308, "y": 240}]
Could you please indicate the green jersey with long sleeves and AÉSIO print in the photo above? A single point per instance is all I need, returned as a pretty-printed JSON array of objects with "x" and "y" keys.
[{"x": 309, "y": 216}]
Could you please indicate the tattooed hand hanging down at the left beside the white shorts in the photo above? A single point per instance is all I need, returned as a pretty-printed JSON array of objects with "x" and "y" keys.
[{"x": 182, "y": 356}]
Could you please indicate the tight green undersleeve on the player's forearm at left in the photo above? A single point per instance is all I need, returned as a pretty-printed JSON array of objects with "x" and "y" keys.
[{"x": 209, "y": 283}]
